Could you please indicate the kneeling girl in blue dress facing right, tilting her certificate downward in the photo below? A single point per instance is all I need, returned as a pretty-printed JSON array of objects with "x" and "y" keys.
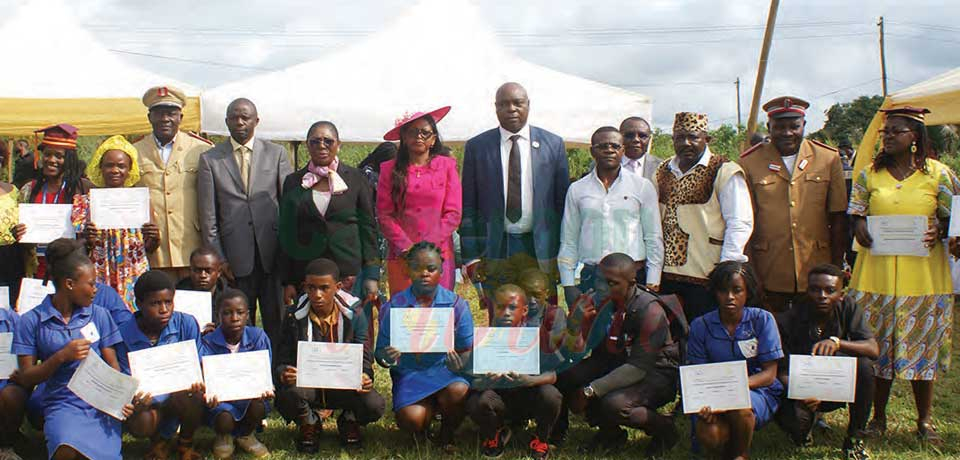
[{"x": 51, "y": 341}]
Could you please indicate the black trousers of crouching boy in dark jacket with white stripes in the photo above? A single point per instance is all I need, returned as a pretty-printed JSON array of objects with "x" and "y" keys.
[{"x": 297, "y": 404}]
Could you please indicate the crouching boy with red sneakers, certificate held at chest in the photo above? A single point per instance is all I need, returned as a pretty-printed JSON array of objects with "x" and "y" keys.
[{"x": 513, "y": 396}]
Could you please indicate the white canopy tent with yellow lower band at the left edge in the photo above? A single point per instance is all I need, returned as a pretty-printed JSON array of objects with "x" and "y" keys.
[{"x": 59, "y": 73}]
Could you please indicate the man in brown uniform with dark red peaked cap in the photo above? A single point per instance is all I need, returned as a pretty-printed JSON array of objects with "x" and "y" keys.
[{"x": 799, "y": 201}]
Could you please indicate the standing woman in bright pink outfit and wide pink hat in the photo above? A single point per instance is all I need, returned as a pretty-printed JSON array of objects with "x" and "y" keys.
[{"x": 418, "y": 196}]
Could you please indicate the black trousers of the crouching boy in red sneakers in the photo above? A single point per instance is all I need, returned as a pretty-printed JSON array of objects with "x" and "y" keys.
[{"x": 492, "y": 409}]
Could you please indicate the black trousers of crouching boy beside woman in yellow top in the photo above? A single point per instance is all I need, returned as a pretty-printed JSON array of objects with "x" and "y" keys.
[{"x": 797, "y": 420}]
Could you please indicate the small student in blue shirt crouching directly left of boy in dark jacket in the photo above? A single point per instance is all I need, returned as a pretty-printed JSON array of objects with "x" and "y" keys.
[{"x": 236, "y": 418}]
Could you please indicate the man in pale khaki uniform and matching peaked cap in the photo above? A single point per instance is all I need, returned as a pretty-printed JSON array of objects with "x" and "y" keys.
[{"x": 168, "y": 167}]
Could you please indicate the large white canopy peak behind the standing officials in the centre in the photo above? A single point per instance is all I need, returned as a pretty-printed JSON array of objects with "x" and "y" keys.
[{"x": 438, "y": 53}]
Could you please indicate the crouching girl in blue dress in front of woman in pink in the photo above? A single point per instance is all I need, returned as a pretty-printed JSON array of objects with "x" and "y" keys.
[{"x": 422, "y": 384}]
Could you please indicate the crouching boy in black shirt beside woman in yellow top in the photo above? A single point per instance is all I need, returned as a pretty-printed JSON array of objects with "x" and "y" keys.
[{"x": 828, "y": 323}]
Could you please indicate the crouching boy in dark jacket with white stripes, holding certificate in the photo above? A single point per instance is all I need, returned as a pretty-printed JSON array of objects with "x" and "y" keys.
[{"x": 321, "y": 316}]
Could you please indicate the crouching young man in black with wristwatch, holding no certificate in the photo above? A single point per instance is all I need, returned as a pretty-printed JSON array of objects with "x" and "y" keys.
[{"x": 632, "y": 370}]
